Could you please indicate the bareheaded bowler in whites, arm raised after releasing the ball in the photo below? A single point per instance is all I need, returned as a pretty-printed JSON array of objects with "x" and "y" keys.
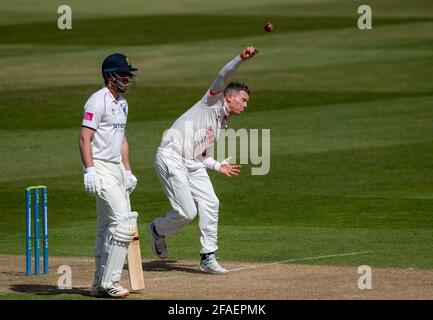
[{"x": 182, "y": 159}]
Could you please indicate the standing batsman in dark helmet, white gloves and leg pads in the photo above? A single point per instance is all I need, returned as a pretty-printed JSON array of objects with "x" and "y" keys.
[{"x": 107, "y": 175}]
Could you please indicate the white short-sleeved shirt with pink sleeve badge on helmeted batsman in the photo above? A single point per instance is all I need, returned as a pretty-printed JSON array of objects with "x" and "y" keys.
[{"x": 107, "y": 116}]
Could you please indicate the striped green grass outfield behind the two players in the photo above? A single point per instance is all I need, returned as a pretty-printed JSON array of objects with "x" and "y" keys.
[{"x": 349, "y": 112}]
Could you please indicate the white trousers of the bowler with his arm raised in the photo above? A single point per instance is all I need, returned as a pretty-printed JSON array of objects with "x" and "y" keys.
[{"x": 189, "y": 191}]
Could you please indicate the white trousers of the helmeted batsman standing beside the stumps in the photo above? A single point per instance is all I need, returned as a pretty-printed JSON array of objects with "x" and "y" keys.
[{"x": 111, "y": 206}]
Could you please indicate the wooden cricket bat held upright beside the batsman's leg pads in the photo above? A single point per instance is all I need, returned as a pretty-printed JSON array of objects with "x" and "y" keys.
[{"x": 136, "y": 279}]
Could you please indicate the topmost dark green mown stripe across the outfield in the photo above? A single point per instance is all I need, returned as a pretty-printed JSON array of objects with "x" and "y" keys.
[{"x": 177, "y": 29}]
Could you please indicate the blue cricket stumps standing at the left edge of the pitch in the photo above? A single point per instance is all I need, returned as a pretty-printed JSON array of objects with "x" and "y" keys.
[{"x": 36, "y": 231}]
